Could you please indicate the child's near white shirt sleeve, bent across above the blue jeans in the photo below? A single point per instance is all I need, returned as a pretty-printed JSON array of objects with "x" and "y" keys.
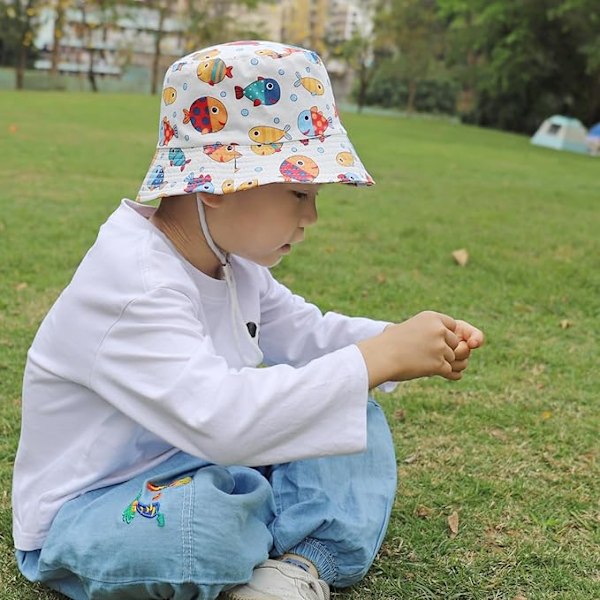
[{"x": 158, "y": 366}]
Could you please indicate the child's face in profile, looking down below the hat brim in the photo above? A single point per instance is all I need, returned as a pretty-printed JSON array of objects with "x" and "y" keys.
[{"x": 262, "y": 223}]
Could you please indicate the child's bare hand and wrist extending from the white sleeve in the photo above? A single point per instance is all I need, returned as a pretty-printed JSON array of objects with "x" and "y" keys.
[{"x": 429, "y": 343}]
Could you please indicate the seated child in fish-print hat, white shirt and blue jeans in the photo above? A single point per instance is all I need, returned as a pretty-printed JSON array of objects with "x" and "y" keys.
[{"x": 192, "y": 429}]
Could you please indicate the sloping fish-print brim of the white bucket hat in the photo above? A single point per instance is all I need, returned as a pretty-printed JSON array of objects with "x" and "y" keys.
[{"x": 221, "y": 169}]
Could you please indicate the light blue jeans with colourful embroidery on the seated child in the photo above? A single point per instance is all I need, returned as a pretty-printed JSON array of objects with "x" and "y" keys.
[{"x": 189, "y": 529}]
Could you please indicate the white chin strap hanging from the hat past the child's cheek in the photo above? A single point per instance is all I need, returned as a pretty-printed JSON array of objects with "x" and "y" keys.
[{"x": 247, "y": 345}]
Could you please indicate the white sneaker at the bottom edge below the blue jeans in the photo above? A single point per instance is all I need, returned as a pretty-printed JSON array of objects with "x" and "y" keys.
[{"x": 277, "y": 580}]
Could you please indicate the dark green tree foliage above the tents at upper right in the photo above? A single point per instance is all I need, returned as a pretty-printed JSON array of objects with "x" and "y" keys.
[{"x": 513, "y": 62}]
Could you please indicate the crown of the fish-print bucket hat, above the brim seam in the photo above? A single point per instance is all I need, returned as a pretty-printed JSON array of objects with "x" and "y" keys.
[{"x": 245, "y": 93}]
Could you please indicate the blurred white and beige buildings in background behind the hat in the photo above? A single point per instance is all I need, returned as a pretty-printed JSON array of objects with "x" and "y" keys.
[{"x": 120, "y": 44}]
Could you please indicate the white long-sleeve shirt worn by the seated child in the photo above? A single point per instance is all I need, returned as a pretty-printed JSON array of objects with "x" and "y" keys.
[{"x": 137, "y": 359}]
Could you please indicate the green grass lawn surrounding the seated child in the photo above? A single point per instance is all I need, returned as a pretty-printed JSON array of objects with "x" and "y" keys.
[{"x": 511, "y": 451}]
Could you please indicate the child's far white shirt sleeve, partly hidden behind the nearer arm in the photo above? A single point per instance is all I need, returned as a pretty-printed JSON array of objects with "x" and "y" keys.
[{"x": 295, "y": 332}]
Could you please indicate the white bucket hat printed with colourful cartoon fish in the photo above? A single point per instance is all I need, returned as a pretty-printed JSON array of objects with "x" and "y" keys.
[{"x": 248, "y": 113}]
